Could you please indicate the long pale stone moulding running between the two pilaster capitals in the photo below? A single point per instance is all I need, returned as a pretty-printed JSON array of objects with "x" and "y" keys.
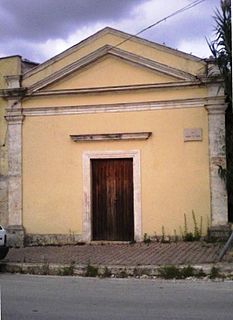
[{"x": 118, "y": 107}]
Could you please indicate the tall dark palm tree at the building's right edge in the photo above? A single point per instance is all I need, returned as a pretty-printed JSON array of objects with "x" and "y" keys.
[{"x": 221, "y": 49}]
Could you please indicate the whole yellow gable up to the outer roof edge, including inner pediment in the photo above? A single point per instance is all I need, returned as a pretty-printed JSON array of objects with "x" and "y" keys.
[{"x": 139, "y": 57}]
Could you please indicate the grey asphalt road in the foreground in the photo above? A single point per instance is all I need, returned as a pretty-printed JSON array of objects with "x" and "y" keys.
[{"x": 47, "y": 297}]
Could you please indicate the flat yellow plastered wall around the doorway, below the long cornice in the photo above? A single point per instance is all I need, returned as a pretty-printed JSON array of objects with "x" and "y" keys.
[{"x": 174, "y": 173}]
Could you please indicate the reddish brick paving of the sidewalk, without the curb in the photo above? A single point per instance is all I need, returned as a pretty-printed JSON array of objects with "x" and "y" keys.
[{"x": 122, "y": 254}]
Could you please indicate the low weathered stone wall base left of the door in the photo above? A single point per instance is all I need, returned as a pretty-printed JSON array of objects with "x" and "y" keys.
[{"x": 52, "y": 239}]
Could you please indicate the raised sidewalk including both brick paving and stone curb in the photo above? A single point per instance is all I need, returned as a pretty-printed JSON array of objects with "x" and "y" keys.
[{"x": 119, "y": 260}]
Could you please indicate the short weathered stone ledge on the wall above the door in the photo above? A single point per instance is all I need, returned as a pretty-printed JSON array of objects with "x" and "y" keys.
[{"x": 111, "y": 136}]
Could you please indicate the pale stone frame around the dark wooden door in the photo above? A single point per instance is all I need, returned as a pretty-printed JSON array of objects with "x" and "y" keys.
[{"x": 87, "y": 201}]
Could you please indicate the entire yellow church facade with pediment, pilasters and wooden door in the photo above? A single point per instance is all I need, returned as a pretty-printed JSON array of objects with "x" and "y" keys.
[{"x": 114, "y": 138}]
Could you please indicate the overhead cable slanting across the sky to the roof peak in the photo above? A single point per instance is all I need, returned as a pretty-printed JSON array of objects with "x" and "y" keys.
[{"x": 185, "y": 8}]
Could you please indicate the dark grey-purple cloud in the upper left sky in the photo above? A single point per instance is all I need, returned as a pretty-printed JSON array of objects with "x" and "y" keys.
[{"x": 49, "y": 19}]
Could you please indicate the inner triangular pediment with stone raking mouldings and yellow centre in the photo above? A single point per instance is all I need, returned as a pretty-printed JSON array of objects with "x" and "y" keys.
[{"x": 109, "y": 66}]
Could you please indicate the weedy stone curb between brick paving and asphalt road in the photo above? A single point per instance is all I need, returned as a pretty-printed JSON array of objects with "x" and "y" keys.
[{"x": 142, "y": 271}]
